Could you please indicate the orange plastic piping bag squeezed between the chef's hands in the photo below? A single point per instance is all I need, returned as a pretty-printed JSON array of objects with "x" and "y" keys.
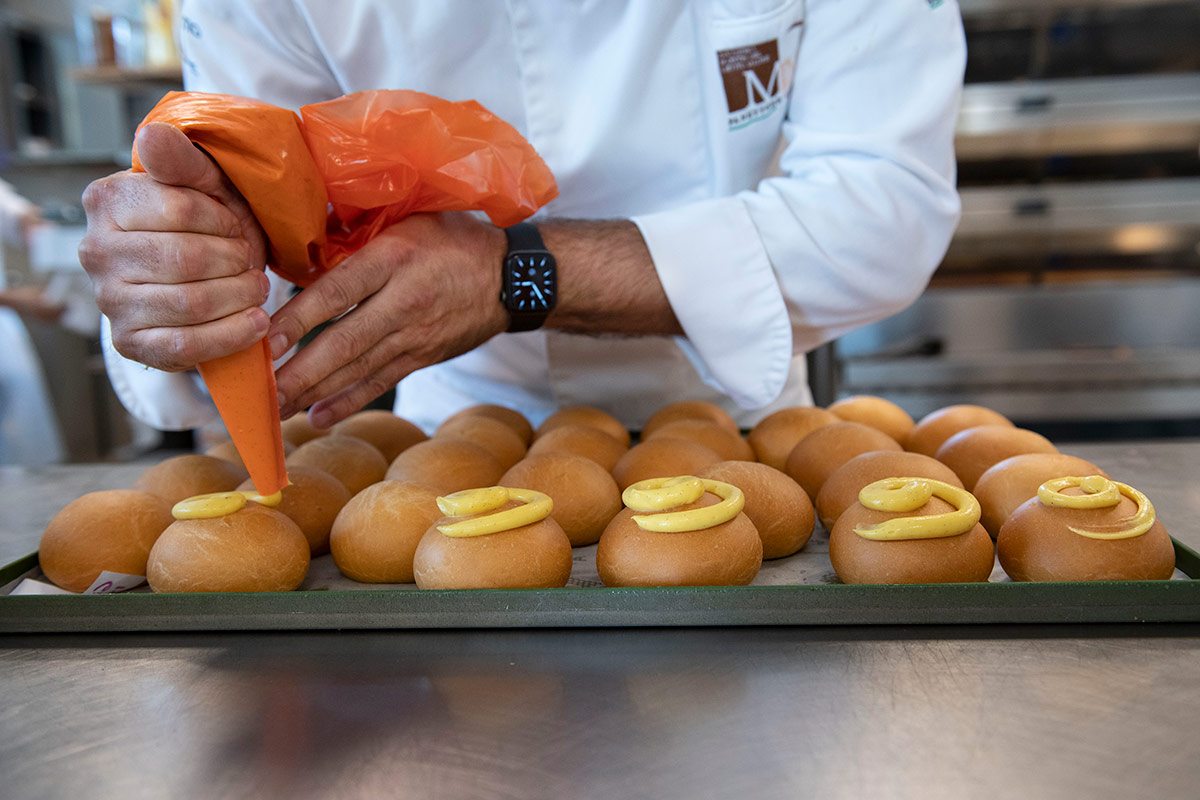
[{"x": 323, "y": 184}]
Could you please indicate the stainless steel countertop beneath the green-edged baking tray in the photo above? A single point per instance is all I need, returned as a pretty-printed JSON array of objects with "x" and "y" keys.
[{"x": 1022, "y": 712}]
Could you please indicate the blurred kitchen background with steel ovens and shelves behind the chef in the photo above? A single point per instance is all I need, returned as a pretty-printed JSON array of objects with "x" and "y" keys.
[{"x": 1070, "y": 299}]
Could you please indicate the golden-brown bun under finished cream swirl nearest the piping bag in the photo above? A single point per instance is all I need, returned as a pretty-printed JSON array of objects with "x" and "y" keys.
[{"x": 532, "y": 557}]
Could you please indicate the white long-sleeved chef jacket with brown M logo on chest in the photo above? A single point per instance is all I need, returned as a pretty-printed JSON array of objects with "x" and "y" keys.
[{"x": 669, "y": 113}]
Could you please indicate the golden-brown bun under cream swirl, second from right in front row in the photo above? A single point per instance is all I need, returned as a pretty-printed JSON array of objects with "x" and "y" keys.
[{"x": 968, "y": 558}]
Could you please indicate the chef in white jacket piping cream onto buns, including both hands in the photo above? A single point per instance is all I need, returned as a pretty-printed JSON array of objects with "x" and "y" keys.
[{"x": 687, "y": 266}]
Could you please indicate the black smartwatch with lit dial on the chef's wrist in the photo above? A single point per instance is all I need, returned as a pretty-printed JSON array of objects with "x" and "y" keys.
[{"x": 530, "y": 279}]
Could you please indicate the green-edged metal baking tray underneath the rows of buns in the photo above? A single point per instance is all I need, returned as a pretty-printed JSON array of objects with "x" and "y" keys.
[{"x": 799, "y": 591}]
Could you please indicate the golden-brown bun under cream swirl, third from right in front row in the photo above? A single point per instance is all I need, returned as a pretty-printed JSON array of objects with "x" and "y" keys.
[{"x": 729, "y": 555}]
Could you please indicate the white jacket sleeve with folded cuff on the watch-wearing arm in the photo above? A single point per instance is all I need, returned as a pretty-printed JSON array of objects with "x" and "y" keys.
[{"x": 861, "y": 218}]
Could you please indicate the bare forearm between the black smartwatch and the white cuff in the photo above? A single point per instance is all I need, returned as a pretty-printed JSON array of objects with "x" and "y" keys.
[{"x": 607, "y": 279}]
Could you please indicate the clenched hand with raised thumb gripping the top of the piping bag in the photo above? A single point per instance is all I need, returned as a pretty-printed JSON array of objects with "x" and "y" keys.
[{"x": 176, "y": 256}]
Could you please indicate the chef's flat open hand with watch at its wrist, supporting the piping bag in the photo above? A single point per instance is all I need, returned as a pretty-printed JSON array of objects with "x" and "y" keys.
[{"x": 424, "y": 291}]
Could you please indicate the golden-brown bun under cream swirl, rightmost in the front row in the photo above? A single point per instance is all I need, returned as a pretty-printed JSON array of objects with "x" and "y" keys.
[{"x": 1036, "y": 545}]
